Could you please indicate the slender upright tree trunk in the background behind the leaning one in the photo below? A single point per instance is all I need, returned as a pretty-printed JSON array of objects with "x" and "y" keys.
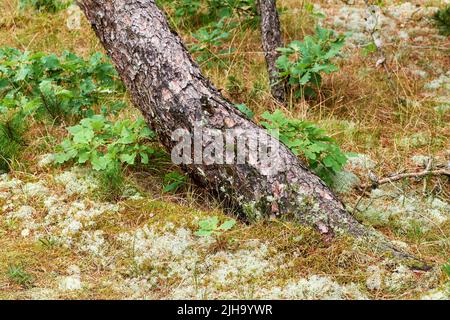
[{"x": 271, "y": 40}]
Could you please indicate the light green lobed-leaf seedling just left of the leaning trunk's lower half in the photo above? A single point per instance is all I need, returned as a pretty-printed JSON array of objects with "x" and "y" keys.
[{"x": 106, "y": 145}]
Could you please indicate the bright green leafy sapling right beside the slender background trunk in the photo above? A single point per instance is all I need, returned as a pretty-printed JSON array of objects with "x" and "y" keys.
[{"x": 302, "y": 62}]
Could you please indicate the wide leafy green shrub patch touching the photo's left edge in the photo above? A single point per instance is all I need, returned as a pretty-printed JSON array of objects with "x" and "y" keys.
[{"x": 59, "y": 87}]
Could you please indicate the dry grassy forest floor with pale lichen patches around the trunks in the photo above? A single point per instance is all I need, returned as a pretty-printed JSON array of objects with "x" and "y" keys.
[{"x": 58, "y": 241}]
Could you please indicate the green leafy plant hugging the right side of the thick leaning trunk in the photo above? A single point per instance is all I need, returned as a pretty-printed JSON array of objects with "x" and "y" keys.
[{"x": 308, "y": 141}]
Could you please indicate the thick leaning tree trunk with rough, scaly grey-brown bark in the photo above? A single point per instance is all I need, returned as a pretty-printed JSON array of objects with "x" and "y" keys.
[{"x": 169, "y": 89}]
